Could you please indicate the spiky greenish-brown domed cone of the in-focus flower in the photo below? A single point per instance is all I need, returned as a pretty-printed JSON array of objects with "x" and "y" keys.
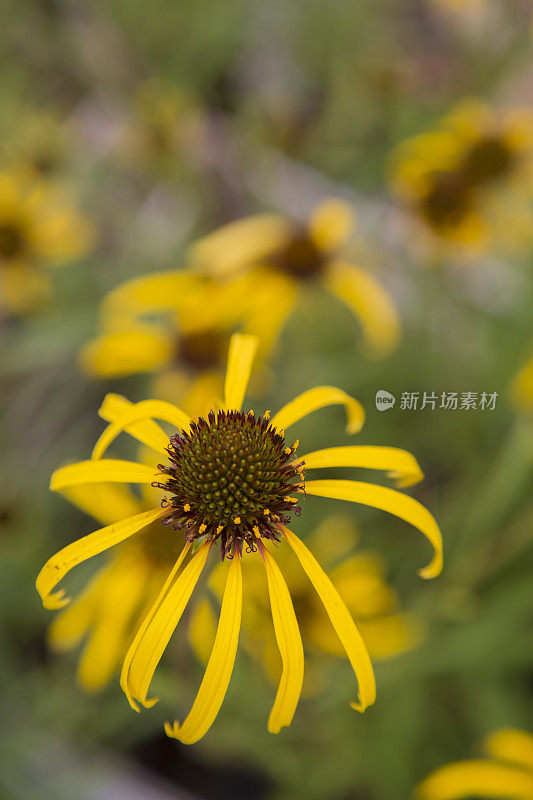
[{"x": 229, "y": 479}]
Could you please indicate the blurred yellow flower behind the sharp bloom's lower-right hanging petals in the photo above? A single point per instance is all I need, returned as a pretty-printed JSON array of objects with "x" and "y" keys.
[{"x": 360, "y": 581}]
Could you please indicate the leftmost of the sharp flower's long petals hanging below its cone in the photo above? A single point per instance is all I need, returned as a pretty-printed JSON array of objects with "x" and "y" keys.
[{"x": 163, "y": 619}]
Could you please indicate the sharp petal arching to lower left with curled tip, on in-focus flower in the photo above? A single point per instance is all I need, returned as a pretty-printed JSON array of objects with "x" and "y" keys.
[{"x": 86, "y": 547}]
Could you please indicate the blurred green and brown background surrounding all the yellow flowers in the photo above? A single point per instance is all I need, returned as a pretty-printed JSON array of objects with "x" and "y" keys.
[{"x": 299, "y": 101}]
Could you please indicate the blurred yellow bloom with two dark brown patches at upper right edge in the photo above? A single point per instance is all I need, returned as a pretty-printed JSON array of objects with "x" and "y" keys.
[{"x": 446, "y": 178}]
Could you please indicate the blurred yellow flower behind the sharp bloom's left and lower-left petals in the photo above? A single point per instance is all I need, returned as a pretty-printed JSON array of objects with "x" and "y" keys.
[{"x": 108, "y": 612}]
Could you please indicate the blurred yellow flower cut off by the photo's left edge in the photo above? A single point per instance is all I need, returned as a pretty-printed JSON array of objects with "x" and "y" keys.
[{"x": 38, "y": 230}]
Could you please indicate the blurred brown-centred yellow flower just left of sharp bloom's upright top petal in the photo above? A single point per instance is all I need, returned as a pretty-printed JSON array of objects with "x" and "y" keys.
[{"x": 173, "y": 325}]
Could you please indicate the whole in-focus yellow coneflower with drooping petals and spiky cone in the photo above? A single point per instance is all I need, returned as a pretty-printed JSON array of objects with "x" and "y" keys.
[{"x": 229, "y": 481}]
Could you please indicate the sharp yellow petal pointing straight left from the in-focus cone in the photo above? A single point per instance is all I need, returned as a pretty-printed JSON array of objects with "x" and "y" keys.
[{"x": 107, "y": 470}]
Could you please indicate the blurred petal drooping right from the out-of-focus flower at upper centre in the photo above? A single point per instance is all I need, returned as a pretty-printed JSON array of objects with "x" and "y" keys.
[{"x": 369, "y": 301}]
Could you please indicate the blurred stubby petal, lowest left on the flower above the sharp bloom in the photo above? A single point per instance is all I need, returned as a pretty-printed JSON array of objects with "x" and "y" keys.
[{"x": 130, "y": 352}]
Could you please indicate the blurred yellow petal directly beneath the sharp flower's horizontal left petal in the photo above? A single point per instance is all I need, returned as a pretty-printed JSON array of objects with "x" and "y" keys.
[{"x": 105, "y": 502}]
